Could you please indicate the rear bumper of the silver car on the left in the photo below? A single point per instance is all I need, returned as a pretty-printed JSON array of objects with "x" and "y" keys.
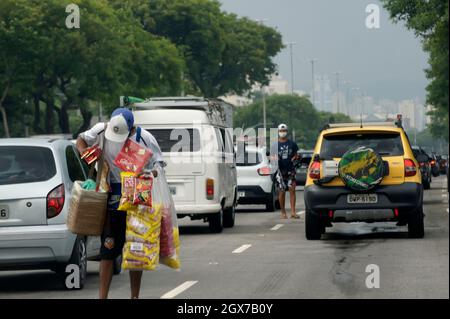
[{"x": 35, "y": 246}]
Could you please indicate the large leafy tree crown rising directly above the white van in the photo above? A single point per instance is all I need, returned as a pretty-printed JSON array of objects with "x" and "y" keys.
[{"x": 223, "y": 53}]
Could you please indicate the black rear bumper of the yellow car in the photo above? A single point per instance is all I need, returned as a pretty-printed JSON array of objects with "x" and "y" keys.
[{"x": 405, "y": 197}]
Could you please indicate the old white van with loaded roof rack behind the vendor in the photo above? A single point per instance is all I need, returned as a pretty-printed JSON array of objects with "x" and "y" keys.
[{"x": 195, "y": 136}]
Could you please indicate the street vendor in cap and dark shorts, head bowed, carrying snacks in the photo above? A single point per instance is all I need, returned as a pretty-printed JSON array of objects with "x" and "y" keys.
[{"x": 119, "y": 129}]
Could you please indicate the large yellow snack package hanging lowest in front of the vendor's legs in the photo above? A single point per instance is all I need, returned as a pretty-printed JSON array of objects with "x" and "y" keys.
[{"x": 141, "y": 249}]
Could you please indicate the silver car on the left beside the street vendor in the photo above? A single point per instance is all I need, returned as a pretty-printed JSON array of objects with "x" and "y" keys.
[{"x": 36, "y": 180}]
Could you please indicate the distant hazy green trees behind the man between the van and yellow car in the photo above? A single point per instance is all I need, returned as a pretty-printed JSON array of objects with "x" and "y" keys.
[{"x": 295, "y": 111}]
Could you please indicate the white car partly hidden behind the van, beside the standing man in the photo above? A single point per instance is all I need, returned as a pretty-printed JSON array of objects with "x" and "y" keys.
[{"x": 255, "y": 178}]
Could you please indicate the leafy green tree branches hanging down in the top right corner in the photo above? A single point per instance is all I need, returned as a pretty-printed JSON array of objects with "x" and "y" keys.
[{"x": 429, "y": 21}]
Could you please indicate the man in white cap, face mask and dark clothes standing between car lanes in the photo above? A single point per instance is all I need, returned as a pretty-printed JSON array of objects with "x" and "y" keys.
[{"x": 284, "y": 153}]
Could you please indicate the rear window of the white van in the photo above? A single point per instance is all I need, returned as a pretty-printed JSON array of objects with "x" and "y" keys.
[{"x": 177, "y": 140}]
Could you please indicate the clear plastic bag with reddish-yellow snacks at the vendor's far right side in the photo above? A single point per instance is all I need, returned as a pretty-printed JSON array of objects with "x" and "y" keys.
[{"x": 169, "y": 254}]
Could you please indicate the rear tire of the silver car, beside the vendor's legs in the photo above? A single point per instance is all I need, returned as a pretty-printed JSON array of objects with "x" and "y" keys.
[{"x": 79, "y": 258}]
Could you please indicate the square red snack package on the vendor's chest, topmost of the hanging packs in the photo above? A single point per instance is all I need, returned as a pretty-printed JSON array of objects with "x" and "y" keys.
[{"x": 132, "y": 157}]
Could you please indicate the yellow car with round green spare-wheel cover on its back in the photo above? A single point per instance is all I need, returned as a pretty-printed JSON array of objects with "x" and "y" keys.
[{"x": 363, "y": 173}]
